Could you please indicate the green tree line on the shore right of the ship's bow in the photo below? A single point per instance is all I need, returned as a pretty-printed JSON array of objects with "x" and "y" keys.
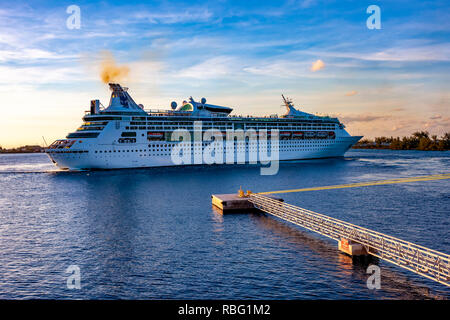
[{"x": 420, "y": 140}]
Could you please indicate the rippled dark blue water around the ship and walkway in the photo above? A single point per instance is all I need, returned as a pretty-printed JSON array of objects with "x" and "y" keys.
[{"x": 152, "y": 233}]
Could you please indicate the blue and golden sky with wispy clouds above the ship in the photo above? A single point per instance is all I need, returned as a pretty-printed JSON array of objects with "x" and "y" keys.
[{"x": 390, "y": 81}]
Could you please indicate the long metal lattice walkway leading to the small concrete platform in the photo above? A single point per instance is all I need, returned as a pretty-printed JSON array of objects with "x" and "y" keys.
[{"x": 429, "y": 263}]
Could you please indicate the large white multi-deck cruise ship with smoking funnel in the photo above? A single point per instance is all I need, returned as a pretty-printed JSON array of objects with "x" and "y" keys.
[{"x": 125, "y": 135}]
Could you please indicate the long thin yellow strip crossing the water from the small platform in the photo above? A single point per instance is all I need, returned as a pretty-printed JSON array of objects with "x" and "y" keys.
[{"x": 369, "y": 183}]
